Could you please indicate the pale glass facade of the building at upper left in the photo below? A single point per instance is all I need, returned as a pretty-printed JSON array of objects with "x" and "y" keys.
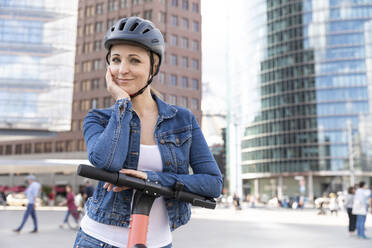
[{"x": 37, "y": 40}]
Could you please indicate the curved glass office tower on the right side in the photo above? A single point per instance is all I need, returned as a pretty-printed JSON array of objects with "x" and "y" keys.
[{"x": 306, "y": 83}]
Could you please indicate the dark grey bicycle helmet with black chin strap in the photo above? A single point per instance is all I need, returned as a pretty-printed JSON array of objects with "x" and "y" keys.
[{"x": 137, "y": 31}]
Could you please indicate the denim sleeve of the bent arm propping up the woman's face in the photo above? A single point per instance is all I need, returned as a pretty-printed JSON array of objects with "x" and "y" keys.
[{"x": 104, "y": 142}]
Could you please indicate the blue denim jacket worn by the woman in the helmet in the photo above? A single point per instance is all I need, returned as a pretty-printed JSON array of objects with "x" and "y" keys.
[{"x": 113, "y": 143}]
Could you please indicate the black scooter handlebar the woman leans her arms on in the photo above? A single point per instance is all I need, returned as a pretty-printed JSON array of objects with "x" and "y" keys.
[{"x": 147, "y": 187}]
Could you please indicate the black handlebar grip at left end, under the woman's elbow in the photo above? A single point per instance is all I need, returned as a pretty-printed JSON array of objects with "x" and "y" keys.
[{"x": 97, "y": 174}]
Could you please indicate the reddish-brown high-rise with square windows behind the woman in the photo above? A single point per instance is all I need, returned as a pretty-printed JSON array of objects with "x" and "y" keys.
[{"x": 179, "y": 80}]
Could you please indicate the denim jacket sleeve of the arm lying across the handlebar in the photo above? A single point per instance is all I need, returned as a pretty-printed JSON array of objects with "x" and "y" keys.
[{"x": 207, "y": 178}]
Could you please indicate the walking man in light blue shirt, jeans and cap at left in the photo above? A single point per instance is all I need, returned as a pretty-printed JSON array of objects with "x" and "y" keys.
[{"x": 32, "y": 192}]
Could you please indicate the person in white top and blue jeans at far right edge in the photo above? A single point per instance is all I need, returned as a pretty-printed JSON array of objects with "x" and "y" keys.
[{"x": 360, "y": 208}]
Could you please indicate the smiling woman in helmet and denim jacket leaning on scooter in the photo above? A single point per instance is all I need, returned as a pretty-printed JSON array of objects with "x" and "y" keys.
[{"x": 144, "y": 137}]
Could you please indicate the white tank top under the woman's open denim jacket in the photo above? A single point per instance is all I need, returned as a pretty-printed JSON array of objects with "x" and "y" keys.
[{"x": 159, "y": 233}]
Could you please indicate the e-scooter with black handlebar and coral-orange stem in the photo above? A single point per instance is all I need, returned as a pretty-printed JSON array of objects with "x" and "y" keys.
[{"x": 146, "y": 193}]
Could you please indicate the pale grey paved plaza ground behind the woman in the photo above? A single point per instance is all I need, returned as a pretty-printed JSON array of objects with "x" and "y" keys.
[{"x": 222, "y": 228}]
